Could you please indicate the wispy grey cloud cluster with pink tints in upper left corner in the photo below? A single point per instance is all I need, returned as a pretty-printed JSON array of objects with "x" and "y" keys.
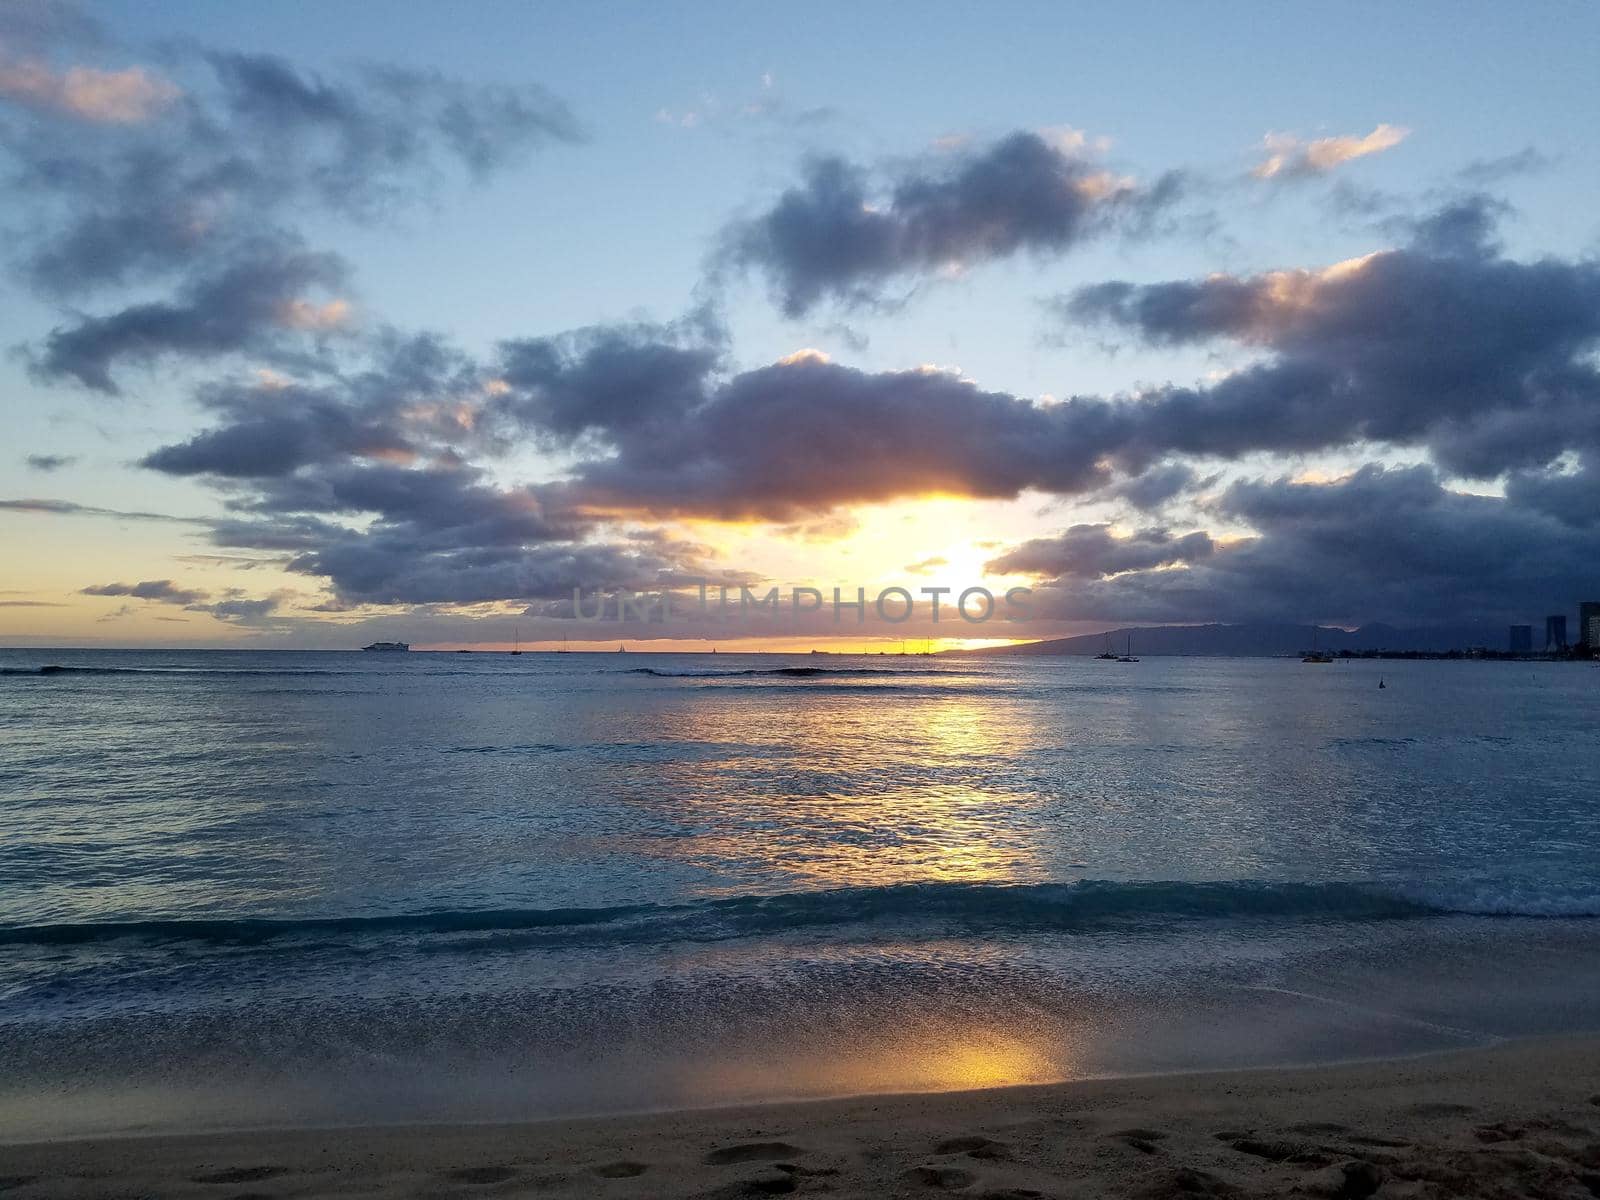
[{"x": 194, "y": 182}]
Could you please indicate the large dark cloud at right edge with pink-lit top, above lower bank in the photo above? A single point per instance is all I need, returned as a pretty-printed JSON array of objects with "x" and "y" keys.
[{"x": 1484, "y": 361}]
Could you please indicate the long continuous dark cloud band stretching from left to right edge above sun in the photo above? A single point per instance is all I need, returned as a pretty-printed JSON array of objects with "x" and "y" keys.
[{"x": 1442, "y": 345}]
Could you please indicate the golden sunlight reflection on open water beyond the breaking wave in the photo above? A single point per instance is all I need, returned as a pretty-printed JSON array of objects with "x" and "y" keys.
[{"x": 889, "y": 828}]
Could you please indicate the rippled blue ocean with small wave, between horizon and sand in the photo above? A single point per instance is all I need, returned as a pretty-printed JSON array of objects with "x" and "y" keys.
[{"x": 249, "y": 889}]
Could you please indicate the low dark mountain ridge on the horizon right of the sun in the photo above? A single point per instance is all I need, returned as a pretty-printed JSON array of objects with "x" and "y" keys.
[{"x": 1263, "y": 641}]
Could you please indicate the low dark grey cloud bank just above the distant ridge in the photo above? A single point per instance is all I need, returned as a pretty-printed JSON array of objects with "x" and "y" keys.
[{"x": 1385, "y": 545}]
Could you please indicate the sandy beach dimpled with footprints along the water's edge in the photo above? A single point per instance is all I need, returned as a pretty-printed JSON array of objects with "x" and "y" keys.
[{"x": 1521, "y": 1119}]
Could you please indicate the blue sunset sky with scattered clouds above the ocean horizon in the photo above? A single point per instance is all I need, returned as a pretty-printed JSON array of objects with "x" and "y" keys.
[{"x": 337, "y": 322}]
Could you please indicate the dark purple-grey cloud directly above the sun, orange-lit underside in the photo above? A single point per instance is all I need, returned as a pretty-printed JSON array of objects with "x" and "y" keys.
[{"x": 804, "y": 436}]
